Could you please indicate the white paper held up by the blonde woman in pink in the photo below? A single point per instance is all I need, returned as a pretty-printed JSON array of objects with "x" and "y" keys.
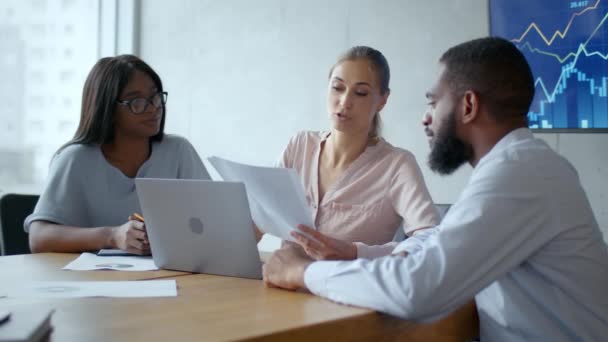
[{"x": 276, "y": 196}]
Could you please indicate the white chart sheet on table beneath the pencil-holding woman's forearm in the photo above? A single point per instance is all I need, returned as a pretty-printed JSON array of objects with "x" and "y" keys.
[{"x": 91, "y": 262}]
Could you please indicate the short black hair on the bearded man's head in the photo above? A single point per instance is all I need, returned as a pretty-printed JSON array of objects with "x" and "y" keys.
[{"x": 496, "y": 70}]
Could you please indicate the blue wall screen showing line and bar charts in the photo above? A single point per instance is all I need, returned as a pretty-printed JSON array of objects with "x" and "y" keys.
[{"x": 566, "y": 44}]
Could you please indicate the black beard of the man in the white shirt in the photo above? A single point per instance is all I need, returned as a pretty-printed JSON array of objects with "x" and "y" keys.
[{"x": 448, "y": 152}]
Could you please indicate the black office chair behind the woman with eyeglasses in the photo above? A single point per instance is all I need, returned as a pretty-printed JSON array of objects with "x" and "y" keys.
[{"x": 14, "y": 209}]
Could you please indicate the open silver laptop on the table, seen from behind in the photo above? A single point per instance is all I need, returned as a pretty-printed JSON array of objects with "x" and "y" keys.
[{"x": 200, "y": 226}]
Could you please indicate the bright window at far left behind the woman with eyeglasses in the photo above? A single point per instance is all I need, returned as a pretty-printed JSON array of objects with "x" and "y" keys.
[{"x": 41, "y": 86}]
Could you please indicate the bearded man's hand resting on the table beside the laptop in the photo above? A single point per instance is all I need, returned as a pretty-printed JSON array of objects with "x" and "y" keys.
[{"x": 286, "y": 267}]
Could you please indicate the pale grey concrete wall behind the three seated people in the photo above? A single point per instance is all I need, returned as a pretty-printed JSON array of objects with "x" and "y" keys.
[{"x": 243, "y": 76}]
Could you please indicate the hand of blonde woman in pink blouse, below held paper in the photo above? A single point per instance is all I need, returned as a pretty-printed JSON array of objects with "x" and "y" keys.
[{"x": 325, "y": 248}]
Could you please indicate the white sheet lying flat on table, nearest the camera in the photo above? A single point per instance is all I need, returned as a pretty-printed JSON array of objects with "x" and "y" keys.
[{"x": 77, "y": 289}]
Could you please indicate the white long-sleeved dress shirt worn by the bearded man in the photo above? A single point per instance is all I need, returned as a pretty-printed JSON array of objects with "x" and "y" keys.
[{"x": 521, "y": 239}]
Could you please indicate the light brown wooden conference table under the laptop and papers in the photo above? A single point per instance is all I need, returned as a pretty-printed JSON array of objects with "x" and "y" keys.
[{"x": 211, "y": 308}]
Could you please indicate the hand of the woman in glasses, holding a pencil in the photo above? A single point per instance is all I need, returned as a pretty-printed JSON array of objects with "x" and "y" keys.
[{"x": 132, "y": 236}]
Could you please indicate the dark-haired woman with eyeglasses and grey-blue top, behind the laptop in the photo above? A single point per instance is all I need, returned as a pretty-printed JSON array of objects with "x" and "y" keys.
[{"x": 90, "y": 192}]
